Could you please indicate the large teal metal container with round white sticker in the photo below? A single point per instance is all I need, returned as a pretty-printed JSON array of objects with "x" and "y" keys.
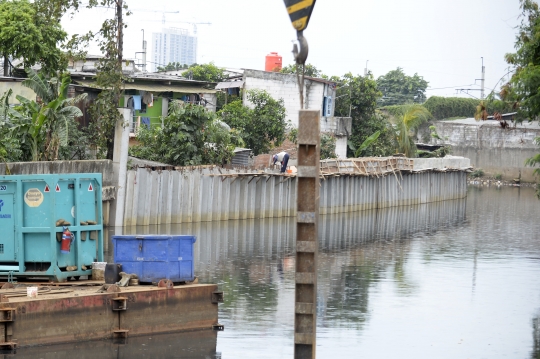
[{"x": 31, "y": 206}]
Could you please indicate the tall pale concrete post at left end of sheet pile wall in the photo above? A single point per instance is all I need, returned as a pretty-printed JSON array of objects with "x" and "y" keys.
[{"x": 120, "y": 155}]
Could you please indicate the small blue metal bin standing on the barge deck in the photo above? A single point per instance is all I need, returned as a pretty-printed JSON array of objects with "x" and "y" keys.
[{"x": 156, "y": 257}]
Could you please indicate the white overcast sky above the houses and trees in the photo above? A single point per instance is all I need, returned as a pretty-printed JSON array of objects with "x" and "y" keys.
[{"x": 443, "y": 41}]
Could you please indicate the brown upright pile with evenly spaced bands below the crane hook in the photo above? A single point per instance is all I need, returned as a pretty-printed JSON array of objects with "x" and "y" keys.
[{"x": 307, "y": 204}]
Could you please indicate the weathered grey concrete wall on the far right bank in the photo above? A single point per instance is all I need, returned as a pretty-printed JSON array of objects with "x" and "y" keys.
[{"x": 495, "y": 150}]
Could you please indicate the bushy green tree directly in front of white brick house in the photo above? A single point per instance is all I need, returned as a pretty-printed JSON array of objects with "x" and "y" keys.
[{"x": 262, "y": 126}]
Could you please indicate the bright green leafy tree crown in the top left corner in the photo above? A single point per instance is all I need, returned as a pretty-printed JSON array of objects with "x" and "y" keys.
[{"x": 30, "y": 35}]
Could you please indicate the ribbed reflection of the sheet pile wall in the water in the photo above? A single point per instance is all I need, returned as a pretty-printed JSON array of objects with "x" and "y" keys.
[{"x": 271, "y": 237}]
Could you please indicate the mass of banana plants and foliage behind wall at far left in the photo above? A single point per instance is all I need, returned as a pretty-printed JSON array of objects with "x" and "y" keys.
[{"x": 44, "y": 129}]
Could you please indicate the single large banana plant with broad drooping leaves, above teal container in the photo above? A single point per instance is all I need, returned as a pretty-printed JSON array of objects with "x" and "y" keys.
[{"x": 45, "y": 122}]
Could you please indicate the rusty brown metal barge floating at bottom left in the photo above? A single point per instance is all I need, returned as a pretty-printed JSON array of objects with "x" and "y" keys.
[{"x": 64, "y": 313}]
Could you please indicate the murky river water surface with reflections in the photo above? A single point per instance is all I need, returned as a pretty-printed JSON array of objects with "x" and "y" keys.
[{"x": 455, "y": 279}]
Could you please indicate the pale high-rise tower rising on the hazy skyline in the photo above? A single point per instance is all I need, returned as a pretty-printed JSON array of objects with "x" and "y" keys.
[{"x": 173, "y": 45}]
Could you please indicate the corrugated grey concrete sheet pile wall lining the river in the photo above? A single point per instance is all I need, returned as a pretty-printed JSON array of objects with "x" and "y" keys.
[{"x": 190, "y": 195}]
